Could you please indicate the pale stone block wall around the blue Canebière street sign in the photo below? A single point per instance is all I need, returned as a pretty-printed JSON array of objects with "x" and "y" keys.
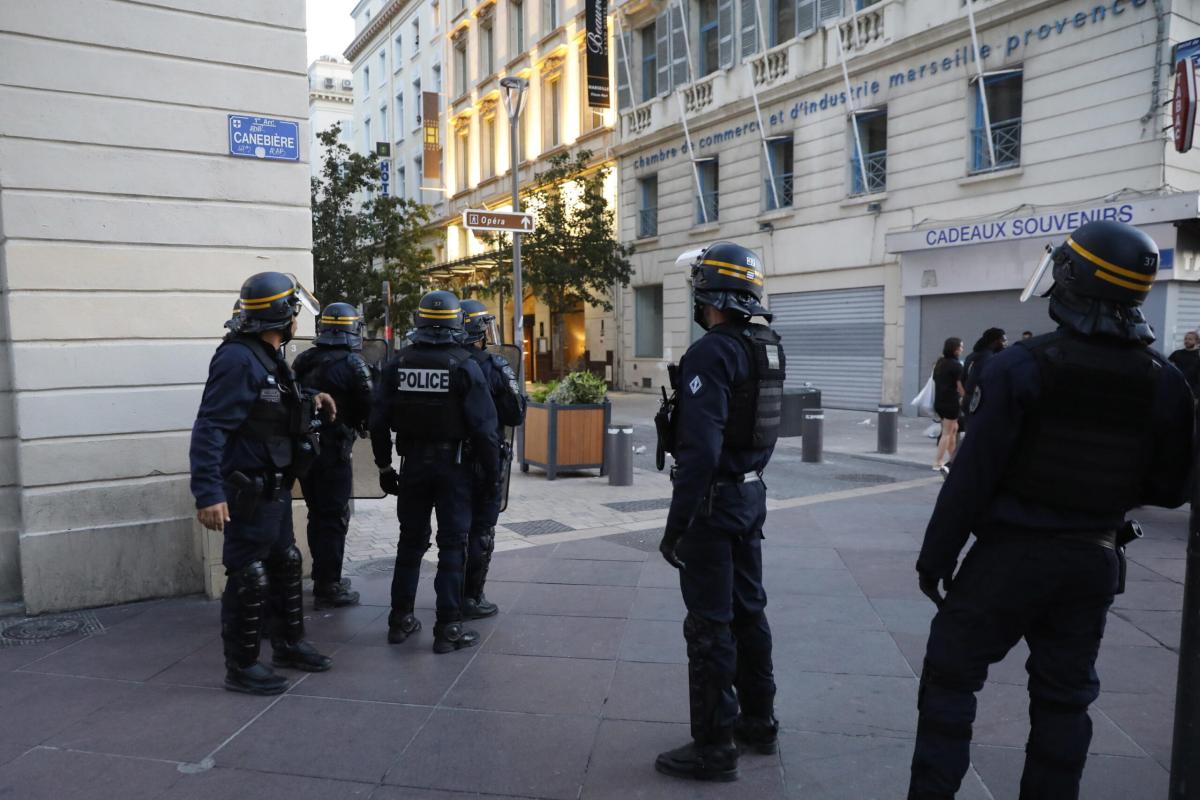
[{"x": 128, "y": 231}]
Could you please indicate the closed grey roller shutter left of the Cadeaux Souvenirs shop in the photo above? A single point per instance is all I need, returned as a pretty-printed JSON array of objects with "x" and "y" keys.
[{"x": 835, "y": 341}]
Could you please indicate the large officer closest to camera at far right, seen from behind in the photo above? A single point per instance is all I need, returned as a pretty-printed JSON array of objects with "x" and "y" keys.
[{"x": 1070, "y": 432}]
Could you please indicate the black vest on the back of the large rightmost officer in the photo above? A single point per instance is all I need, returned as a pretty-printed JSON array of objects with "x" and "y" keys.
[{"x": 1087, "y": 444}]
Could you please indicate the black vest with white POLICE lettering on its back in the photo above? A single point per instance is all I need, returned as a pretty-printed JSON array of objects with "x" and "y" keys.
[{"x": 427, "y": 394}]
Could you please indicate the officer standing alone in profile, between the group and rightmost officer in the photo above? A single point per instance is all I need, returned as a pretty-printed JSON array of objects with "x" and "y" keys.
[{"x": 725, "y": 426}]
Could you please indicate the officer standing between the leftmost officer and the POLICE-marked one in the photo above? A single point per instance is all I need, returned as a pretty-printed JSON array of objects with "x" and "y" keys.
[{"x": 334, "y": 366}]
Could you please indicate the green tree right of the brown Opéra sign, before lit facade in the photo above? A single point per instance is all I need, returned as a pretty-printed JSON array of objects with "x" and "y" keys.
[{"x": 572, "y": 257}]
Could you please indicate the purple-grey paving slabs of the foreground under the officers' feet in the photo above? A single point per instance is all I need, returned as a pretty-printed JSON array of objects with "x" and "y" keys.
[{"x": 579, "y": 683}]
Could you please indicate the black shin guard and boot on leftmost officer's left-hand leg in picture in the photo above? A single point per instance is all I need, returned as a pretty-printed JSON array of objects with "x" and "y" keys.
[{"x": 243, "y": 607}]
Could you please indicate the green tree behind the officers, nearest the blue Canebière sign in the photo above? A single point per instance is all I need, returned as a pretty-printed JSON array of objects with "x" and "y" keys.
[{"x": 358, "y": 244}]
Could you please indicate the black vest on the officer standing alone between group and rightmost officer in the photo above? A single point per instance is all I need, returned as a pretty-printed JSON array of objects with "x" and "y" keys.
[{"x": 757, "y": 407}]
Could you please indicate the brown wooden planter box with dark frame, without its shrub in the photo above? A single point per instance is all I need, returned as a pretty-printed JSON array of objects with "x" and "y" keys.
[{"x": 565, "y": 437}]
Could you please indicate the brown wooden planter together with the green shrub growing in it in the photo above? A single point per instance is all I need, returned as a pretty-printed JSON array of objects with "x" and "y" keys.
[{"x": 566, "y": 425}]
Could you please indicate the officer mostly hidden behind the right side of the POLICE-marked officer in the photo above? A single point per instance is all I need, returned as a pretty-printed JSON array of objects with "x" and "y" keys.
[{"x": 511, "y": 406}]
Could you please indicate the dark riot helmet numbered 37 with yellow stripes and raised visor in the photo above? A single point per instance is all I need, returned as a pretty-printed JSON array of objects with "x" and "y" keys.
[{"x": 1102, "y": 275}]
